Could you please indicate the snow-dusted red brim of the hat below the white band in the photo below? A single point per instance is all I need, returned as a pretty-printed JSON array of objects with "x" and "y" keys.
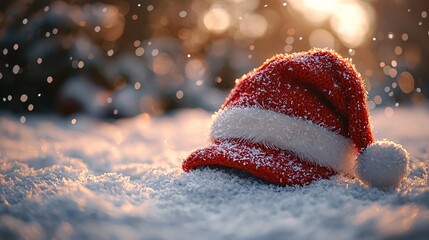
[{"x": 273, "y": 165}]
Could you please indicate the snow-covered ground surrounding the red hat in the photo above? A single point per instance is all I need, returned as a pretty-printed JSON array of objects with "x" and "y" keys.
[{"x": 123, "y": 180}]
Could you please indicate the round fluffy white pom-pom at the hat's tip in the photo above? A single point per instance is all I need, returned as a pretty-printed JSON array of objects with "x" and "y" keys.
[{"x": 383, "y": 164}]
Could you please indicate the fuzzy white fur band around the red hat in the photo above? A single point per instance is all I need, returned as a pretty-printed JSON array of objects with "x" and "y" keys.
[{"x": 306, "y": 139}]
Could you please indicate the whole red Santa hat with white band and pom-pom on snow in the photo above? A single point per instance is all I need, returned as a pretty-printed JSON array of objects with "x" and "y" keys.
[{"x": 299, "y": 118}]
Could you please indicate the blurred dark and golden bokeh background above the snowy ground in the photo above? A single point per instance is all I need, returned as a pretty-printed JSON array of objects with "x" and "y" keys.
[{"x": 120, "y": 58}]
